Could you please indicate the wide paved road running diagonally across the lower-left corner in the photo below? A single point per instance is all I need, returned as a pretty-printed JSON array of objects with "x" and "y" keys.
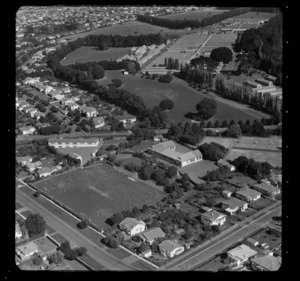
[{"x": 108, "y": 261}]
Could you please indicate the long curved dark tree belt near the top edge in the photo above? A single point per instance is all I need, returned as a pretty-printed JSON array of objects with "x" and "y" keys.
[{"x": 185, "y": 23}]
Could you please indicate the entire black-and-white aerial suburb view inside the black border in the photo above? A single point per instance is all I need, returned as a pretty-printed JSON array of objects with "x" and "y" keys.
[{"x": 148, "y": 138}]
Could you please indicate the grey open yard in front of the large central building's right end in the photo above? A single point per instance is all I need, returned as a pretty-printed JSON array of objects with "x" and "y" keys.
[{"x": 198, "y": 170}]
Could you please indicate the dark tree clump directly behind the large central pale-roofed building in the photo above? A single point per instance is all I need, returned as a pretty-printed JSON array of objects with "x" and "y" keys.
[{"x": 188, "y": 133}]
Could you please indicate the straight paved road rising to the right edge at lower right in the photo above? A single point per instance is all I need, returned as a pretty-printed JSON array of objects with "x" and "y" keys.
[{"x": 204, "y": 255}]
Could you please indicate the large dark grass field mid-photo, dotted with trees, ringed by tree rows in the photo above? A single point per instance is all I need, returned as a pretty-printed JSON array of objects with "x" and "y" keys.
[{"x": 185, "y": 98}]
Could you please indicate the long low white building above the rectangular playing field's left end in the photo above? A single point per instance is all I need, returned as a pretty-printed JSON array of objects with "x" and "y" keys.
[{"x": 80, "y": 142}]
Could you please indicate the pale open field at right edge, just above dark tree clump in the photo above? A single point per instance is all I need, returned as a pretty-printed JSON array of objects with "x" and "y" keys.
[{"x": 274, "y": 158}]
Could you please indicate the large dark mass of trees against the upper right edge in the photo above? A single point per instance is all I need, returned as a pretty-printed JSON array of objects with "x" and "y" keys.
[{"x": 264, "y": 45}]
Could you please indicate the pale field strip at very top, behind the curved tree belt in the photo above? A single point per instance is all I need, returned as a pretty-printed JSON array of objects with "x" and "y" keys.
[{"x": 194, "y": 15}]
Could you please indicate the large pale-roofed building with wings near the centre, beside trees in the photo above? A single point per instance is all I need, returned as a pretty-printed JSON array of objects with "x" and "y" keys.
[{"x": 176, "y": 153}]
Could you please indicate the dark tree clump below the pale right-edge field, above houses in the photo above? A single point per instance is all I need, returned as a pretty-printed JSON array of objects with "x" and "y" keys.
[{"x": 252, "y": 168}]
